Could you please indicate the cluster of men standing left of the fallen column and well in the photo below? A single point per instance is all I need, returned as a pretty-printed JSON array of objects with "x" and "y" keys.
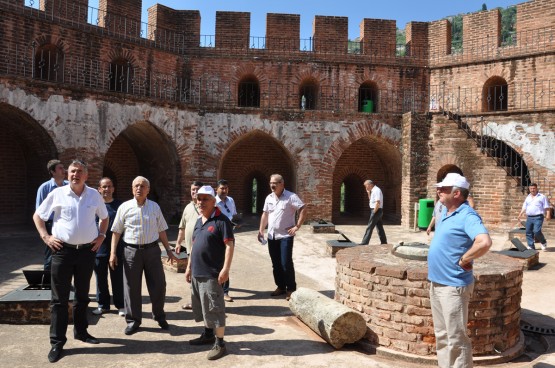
[{"x": 88, "y": 230}]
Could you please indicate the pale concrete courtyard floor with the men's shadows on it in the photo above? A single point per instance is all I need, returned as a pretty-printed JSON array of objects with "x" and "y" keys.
[{"x": 261, "y": 332}]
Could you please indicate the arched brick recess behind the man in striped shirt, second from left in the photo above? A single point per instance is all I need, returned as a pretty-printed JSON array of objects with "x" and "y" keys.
[{"x": 143, "y": 149}]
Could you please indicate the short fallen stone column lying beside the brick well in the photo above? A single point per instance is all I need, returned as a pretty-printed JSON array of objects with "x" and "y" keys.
[{"x": 334, "y": 322}]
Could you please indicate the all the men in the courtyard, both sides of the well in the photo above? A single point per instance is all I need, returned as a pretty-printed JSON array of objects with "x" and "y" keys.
[{"x": 87, "y": 230}]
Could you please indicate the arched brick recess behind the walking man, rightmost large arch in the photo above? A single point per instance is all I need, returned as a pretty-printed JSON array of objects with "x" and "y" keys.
[{"x": 369, "y": 157}]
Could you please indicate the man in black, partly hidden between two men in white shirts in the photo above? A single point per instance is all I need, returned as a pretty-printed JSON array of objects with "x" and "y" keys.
[{"x": 106, "y": 189}]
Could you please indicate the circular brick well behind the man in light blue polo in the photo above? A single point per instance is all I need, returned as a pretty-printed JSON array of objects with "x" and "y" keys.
[{"x": 392, "y": 294}]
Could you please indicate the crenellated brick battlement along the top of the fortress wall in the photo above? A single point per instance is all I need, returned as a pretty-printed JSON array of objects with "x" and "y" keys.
[{"x": 428, "y": 42}]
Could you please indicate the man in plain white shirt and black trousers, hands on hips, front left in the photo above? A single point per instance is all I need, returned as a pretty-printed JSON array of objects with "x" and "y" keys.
[{"x": 74, "y": 241}]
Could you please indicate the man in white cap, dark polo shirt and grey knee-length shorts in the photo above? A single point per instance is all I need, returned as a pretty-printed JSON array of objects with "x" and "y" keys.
[{"x": 208, "y": 268}]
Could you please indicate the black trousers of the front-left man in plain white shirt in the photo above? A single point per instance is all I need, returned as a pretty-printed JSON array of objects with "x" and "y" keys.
[{"x": 68, "y": 263}]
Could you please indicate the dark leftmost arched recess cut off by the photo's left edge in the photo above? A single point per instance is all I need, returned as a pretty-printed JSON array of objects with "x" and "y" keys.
[{"x": 27, "y": 146}]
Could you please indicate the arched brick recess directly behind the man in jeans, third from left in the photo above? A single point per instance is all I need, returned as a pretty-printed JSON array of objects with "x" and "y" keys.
[{"x": 255, "y": 155}]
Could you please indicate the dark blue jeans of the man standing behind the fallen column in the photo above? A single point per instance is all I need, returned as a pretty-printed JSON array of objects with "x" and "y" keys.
[{"x": 281, "y": 254}]
